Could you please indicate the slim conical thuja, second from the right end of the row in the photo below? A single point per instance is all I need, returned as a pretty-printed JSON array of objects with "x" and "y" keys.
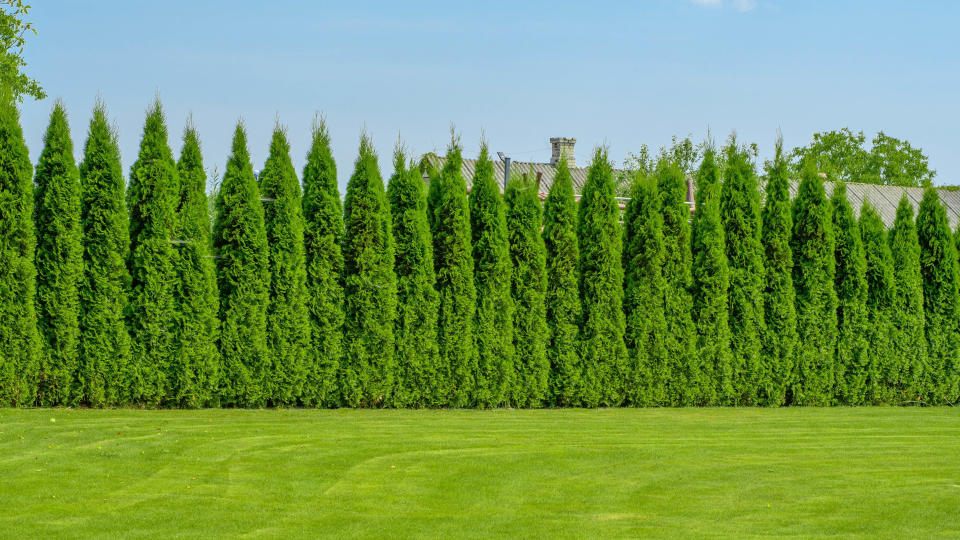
[{"x": 909, "y": 344}]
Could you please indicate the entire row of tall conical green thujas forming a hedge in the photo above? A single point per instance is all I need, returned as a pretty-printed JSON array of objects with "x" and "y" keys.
[{"x": 135, "y": 291}]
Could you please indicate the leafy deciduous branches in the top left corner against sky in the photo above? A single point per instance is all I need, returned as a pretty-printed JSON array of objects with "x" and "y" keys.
[{"x": 13, "y": 31}]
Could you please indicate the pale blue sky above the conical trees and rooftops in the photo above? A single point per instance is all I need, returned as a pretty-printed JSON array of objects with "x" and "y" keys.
[{"x": 615, "y": 73}]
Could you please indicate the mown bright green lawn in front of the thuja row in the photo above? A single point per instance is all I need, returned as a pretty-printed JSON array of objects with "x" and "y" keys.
[{"x": 869, "y": 472}]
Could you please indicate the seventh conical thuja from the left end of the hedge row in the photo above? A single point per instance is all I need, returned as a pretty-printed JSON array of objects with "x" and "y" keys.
[{"x": 288, "y": 320}]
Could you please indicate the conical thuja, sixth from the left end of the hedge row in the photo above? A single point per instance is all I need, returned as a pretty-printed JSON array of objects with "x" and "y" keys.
[{"x": 243, "y": 277}]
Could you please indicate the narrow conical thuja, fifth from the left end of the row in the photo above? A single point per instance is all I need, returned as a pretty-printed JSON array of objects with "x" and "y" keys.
[{"x": 196, "y": 365}]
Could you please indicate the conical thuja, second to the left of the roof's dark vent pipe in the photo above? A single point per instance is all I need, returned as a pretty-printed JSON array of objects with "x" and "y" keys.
[{"x": 449, "y": 216}]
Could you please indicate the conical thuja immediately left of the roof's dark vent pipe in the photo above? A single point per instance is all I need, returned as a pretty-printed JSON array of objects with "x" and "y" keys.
[{"x": 497, "y": 375}]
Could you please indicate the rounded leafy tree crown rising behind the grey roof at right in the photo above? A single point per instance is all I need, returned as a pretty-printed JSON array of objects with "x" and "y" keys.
[{"x": 842, "y": 156}]
